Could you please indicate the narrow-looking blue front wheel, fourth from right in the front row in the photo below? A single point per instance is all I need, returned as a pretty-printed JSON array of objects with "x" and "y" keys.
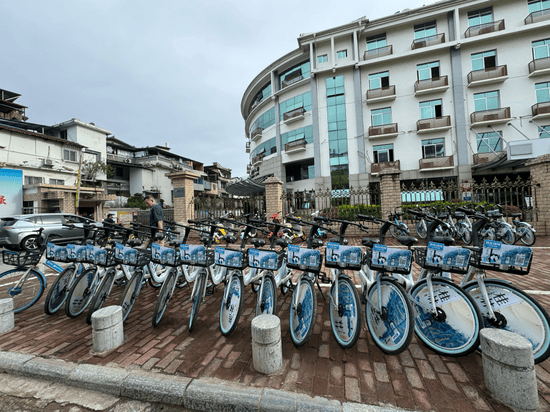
[{"x": 346, "y": 318}]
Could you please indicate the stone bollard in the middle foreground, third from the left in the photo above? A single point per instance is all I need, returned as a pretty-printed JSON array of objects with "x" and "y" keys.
[{"x": 267, "y": 353}]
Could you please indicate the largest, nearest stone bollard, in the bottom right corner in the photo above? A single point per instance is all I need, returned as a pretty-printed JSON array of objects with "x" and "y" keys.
[{"x": 508, "y": 368}]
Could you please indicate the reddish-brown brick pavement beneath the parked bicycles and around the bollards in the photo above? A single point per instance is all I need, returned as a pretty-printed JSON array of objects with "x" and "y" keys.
[{"x": 416, "y": 379}]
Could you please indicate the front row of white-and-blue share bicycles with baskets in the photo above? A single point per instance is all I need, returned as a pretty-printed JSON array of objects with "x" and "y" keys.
[{"x": 445, "y": 315}]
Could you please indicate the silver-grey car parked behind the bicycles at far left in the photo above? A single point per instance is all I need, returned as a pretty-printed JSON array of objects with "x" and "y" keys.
[{"x": 19, "y": 231}]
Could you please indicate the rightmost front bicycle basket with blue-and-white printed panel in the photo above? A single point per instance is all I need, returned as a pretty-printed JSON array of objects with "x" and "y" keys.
[{"x": 503, "y": 258}]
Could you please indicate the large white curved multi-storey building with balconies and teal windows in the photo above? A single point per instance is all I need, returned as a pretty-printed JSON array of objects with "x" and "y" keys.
[{"x": 436, "y": 91}]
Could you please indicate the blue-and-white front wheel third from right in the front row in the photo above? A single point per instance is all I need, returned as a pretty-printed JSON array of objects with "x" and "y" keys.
[{"x": 391, "y": 321}]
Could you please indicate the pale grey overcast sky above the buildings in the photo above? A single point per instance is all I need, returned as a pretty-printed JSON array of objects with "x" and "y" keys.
[{"x": 156, "y": 72}]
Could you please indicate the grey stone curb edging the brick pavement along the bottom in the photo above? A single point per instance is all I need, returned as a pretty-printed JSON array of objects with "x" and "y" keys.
[{"x": 195, "y": 394}]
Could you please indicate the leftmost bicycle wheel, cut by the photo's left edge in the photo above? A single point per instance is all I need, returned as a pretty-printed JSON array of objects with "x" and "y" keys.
[{"x": 28, "y": 294}]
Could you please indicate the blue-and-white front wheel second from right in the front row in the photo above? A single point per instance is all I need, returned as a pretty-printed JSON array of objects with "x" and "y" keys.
[{"x": 454, "y": 329}]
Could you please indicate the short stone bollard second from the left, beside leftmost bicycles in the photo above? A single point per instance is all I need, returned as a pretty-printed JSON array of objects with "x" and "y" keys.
[{"x": 107, "y": 329}]
